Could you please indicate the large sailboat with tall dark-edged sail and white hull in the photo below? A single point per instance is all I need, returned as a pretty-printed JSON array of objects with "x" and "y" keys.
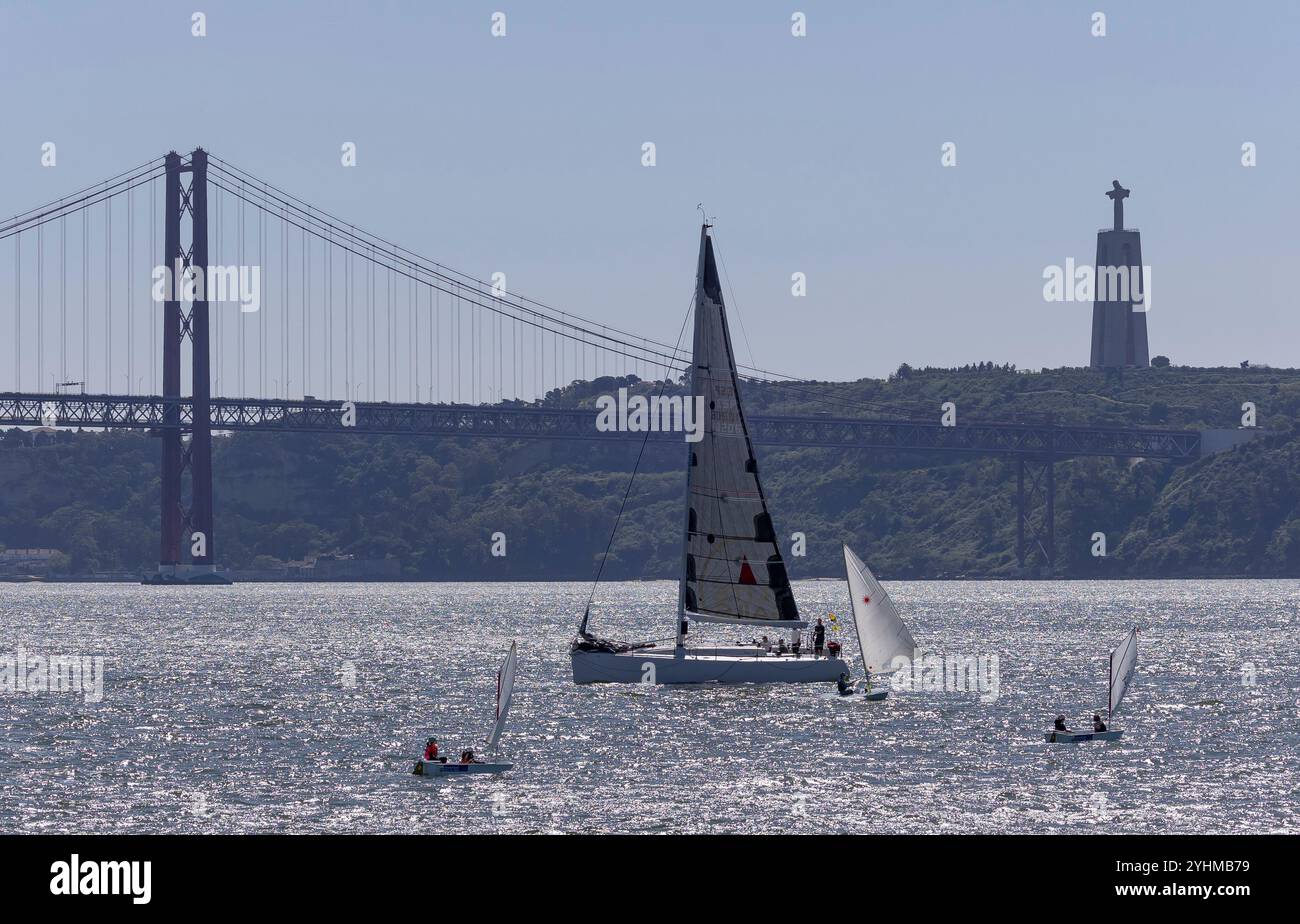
[{"x": 733, "y": 571}]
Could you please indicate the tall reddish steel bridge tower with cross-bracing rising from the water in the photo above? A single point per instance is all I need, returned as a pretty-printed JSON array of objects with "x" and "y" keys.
[{"x": 181, "y": 523}]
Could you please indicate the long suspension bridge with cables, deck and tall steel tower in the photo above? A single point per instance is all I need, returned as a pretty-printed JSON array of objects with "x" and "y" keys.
[{"x": 189, "y": 270}]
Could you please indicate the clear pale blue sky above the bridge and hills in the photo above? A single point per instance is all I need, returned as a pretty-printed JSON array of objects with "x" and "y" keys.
[{"x": 817, "y": 154}]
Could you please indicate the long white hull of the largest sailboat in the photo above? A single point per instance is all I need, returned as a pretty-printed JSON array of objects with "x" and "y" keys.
[{"x": 703, "y": 666}]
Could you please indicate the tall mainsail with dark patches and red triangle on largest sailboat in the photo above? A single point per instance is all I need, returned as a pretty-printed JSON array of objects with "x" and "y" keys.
[{"x": 733, "y": 569}]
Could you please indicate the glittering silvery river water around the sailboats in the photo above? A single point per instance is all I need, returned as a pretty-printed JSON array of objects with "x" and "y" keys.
[{"x": 231, "y": 710}]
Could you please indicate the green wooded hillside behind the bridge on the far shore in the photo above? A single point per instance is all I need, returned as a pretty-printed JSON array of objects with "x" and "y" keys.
[{"x": 435, "y": 504}]
